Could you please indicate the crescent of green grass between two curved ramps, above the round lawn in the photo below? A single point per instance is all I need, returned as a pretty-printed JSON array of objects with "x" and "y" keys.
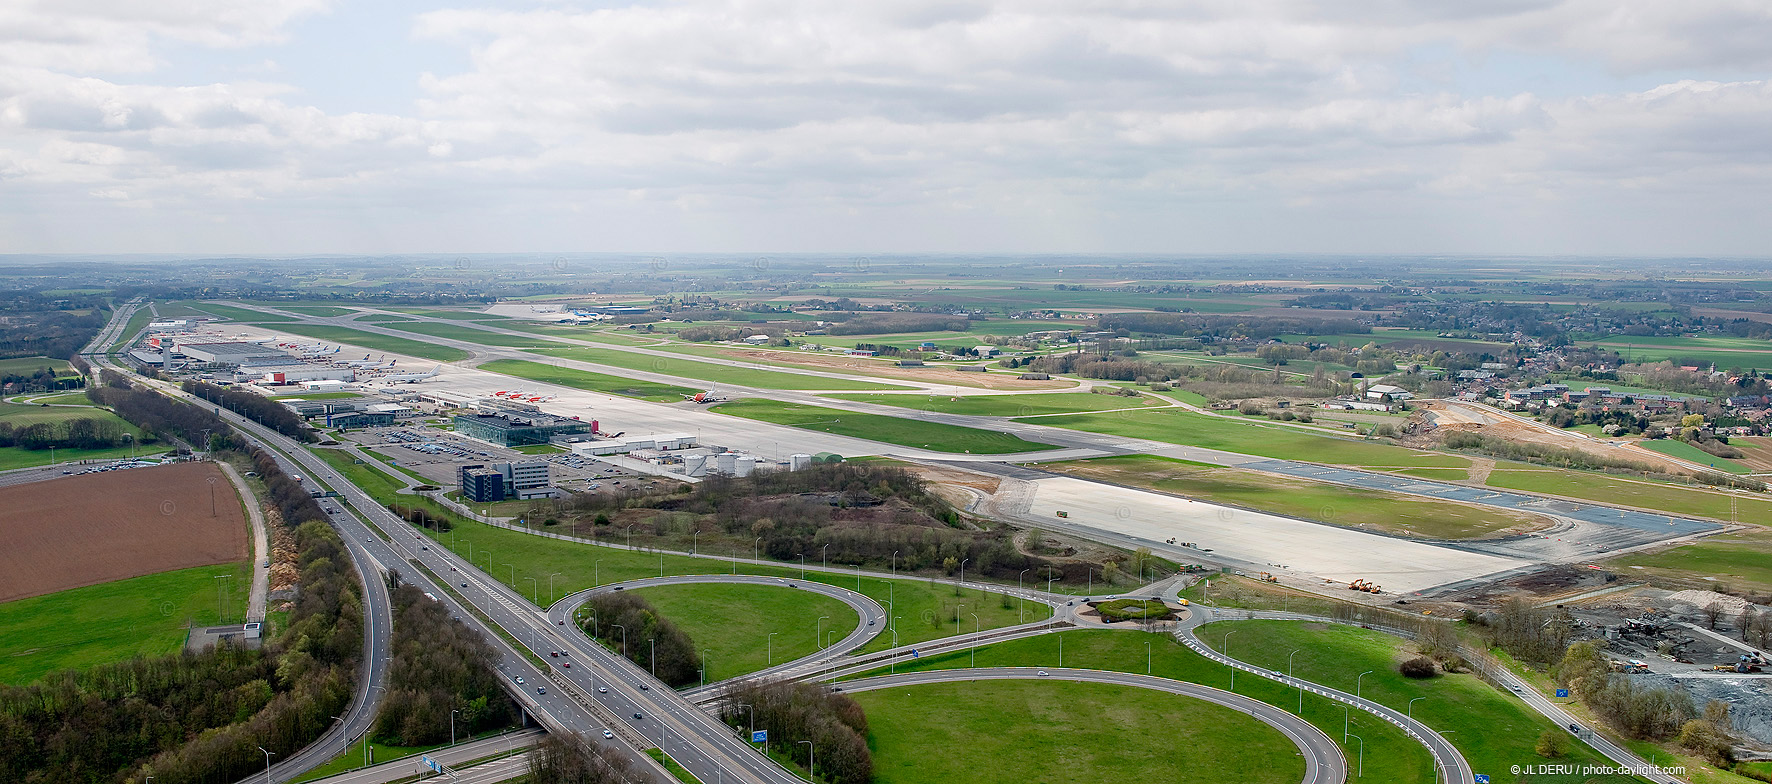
[{"x": 1392, "y": 757}]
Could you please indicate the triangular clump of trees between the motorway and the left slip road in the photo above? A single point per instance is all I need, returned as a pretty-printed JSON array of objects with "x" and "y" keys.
[{"x": 440, "y": 666}]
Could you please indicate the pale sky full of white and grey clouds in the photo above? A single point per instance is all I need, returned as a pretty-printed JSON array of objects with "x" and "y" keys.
[{"x": 299, "y": 127}]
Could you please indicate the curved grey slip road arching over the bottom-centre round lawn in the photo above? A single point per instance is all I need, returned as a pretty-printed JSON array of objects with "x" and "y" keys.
[{"x": 1323, "y": 758}]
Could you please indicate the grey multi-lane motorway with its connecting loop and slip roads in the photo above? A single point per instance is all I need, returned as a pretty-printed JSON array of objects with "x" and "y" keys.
[{"x": 609, "y": 693}]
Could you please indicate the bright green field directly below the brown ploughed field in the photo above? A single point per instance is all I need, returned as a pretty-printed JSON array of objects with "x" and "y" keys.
[{"x": 144, "y": 616}]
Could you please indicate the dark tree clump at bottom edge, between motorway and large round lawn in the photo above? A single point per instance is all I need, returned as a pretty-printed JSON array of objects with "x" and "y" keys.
[{"x": 805, "y": 712}]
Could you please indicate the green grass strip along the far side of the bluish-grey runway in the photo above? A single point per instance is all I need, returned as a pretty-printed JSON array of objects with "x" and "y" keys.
[{"x": 1270, "y": 441}]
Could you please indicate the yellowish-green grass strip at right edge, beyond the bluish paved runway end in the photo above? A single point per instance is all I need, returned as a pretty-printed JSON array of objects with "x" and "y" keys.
[{"x": 1640, "y": 494}]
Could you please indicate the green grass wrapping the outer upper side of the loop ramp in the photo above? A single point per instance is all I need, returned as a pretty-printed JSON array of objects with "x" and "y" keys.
[{"x": 924, "y": 609}]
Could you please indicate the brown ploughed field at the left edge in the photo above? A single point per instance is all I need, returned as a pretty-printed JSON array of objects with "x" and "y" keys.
[{"x": 100, "y": 528}]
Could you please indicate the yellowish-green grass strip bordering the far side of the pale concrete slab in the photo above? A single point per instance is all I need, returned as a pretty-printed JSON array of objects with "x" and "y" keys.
[{"x": 1303, "y": 499}]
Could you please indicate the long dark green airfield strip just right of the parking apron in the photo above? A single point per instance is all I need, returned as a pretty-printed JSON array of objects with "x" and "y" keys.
[{"x": 878, "y": 428}]
